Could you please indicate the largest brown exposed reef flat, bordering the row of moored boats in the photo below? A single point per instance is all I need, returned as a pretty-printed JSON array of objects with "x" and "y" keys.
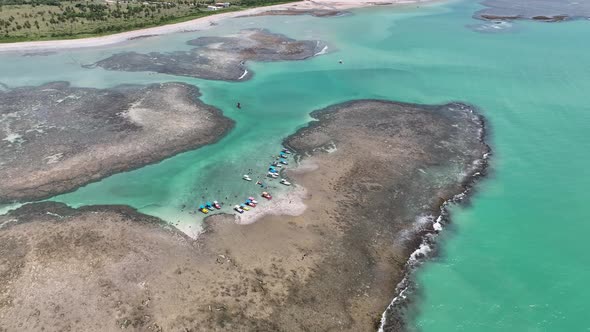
[{"x": 380, "y": 168}]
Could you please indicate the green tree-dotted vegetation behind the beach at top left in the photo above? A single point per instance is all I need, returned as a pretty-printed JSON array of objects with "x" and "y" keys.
[{"x": 24, "y": 20}]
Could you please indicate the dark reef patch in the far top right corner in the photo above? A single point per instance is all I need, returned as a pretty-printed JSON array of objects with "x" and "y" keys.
[{"x": 539, "y": 10}]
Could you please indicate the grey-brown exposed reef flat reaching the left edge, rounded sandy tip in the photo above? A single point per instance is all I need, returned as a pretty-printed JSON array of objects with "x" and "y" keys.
[{"x": 55, "y": 137}]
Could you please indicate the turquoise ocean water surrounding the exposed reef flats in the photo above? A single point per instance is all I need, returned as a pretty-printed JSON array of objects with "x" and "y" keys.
[{"x": 514, "y": 258}]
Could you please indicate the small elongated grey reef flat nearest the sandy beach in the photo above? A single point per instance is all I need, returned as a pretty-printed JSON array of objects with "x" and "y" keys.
[{"x": 217, "y": 58}]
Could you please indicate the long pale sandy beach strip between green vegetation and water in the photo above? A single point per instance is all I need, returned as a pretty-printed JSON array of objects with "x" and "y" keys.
[{"x": 202, "y": 23}]
